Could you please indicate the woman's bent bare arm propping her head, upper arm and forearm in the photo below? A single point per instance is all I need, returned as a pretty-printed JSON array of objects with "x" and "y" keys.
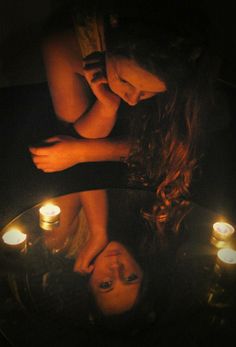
[{"x": 71, "y": 94}]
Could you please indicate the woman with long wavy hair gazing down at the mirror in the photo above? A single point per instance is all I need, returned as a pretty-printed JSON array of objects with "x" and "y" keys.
[{"x": 156, "y": 62}]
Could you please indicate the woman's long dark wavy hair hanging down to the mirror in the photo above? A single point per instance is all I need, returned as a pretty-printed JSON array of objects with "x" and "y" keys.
[{"x": 165, "y": 130}]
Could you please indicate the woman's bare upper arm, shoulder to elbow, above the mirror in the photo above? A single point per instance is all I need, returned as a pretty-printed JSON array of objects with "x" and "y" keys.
[{"x": 63, "y": 65}]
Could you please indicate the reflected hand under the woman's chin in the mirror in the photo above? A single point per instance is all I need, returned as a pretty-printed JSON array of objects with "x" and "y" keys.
[{"x": 94, "y": 246}]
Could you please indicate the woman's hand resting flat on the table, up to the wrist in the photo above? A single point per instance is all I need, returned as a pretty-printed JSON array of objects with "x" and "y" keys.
[{"x": 59, "y": 153}]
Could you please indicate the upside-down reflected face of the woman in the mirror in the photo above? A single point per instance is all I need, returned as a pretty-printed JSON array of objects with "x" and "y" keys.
[{"x": 116, "y": 279}]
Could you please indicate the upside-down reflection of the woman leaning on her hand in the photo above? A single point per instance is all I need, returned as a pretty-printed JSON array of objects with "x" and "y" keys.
[{"x": 106, "y": 235}]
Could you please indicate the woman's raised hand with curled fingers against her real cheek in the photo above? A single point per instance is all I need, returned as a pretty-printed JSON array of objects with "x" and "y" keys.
[{"x": 95, "y": 74}]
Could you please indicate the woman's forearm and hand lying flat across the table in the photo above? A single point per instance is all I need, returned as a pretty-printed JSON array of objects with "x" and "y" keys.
[{"x": 61, "y": 152}]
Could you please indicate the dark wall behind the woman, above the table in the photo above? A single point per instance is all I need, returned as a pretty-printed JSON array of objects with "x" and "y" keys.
[{"x": 21, "y": 24}]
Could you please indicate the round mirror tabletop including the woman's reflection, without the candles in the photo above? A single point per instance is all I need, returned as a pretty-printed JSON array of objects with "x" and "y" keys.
[{"x": 102, "y": 270}]
